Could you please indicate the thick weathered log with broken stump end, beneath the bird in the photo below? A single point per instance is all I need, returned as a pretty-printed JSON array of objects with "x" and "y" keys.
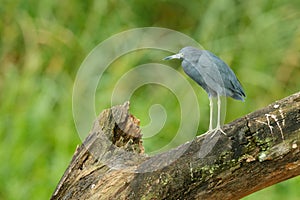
[{"x": 259, "y": 150}]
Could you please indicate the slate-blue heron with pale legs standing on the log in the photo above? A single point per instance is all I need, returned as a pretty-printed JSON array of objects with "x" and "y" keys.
[{"x": 213, "y": 75}]
